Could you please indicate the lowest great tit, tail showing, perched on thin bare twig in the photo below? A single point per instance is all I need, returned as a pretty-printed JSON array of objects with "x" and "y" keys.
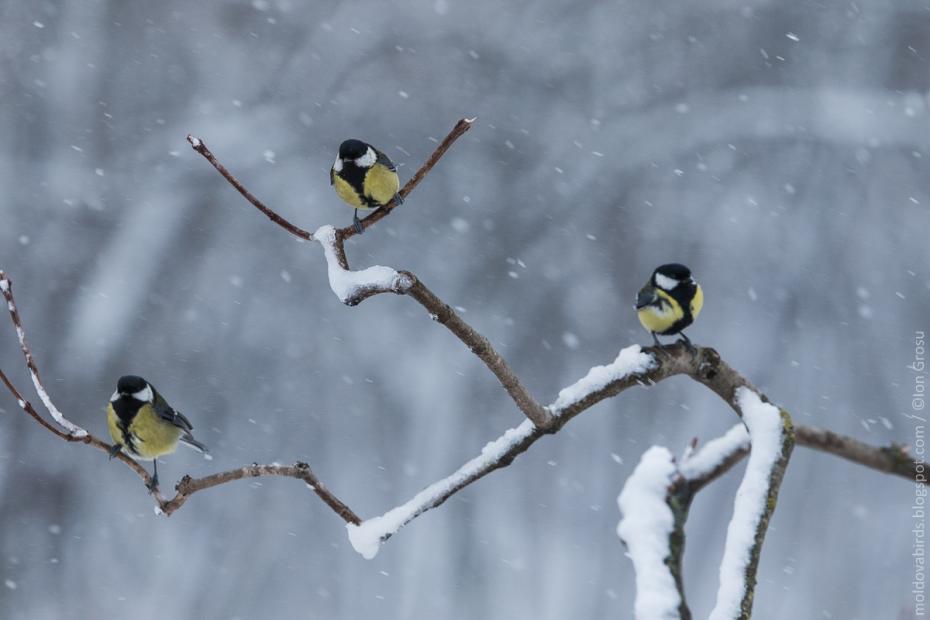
[{"x": 144, "y": 425}]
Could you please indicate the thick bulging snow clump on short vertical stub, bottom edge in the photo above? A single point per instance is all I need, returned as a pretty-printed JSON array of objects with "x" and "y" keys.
[{"x": 646, "y": 529}]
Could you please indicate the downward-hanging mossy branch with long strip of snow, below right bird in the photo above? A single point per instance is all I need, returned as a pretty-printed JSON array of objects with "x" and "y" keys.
[{"x": 772, "y": 439}]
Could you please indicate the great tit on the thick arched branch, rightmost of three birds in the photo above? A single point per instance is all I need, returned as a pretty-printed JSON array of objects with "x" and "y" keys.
[{"x": 669, "y": 302}]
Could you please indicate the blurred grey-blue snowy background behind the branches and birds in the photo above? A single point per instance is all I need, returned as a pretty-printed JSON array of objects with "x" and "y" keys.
[{"x": 781, "y": 151}]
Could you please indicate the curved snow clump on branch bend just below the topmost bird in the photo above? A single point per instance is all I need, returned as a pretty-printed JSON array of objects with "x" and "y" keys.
[{"x": 353, "y": 287}]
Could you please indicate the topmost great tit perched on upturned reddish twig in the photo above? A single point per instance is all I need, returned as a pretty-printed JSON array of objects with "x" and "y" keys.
[{"x": 364, "y": 177}]
